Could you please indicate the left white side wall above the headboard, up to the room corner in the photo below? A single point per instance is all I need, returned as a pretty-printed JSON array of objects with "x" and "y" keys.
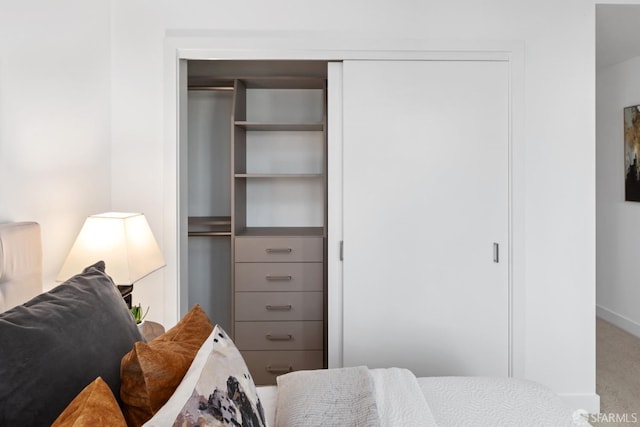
[{"x": 54, "y": 118}]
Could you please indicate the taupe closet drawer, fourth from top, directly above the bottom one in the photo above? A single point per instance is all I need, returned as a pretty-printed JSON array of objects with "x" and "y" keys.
[{"x": 279, "y": 335}]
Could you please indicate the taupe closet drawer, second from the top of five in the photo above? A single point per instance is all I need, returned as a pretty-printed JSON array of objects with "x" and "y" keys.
[{"x": 279, "y": 276}]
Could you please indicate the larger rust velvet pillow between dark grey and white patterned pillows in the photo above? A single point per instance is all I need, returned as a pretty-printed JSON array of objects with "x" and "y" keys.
[{"x": 151, "y": 372}]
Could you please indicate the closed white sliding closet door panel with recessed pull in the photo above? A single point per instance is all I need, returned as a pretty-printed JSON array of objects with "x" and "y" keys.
[{"x": 426, "y": 196}]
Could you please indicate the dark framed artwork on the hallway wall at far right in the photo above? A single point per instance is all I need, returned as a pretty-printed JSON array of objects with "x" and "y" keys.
[{"x": 631, "y": 150}]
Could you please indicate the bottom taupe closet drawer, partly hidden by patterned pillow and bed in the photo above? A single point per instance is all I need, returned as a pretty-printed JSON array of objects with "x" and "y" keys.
[{"x": 265, "y": 366}]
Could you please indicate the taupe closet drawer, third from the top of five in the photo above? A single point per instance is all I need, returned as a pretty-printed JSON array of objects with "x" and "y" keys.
[{"x": 276, "y": 306}]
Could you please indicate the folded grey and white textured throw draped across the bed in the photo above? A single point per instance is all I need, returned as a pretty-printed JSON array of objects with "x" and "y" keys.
[{"x": 351, "y": 397}]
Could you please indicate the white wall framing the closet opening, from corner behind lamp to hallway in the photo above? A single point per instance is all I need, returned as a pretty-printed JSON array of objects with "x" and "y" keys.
[{"x": 554, "y": 163}]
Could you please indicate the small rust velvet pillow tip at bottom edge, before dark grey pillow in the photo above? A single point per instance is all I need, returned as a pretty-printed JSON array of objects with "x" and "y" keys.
[{"x": 93, "y": 406}]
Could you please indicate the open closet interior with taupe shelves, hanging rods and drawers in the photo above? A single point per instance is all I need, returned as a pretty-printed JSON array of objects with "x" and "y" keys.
[{"x": 257, "y": 208}]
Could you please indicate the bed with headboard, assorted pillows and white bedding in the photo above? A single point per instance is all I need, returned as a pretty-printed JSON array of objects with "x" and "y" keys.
[{"x": 74, "y": 356}]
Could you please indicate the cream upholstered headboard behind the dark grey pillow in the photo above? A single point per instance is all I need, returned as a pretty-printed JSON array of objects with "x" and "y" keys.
[{"x": 20, "y": 263}]
